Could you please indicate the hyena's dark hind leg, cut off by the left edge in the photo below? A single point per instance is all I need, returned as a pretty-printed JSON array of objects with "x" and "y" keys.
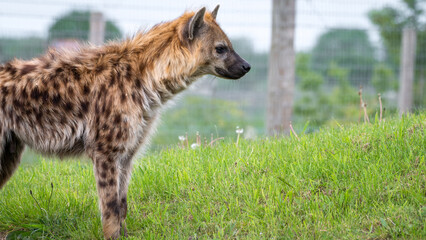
[{"x": 11, "y": 148}]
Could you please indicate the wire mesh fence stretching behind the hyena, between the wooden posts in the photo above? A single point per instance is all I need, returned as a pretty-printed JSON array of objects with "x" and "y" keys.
[{"x": 341, "y": 46}]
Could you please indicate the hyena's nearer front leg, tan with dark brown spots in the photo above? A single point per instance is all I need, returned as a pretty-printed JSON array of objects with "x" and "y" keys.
[{"x": 107, "y": 179}]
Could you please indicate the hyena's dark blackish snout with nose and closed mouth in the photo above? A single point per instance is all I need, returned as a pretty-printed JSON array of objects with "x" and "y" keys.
[{"x": 235, "y": 67}]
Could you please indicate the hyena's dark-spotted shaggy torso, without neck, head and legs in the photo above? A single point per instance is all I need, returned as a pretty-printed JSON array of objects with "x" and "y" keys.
[{"x": 56, "y": 104}]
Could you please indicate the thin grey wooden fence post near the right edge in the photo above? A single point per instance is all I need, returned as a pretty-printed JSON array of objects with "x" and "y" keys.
[{"x": 406, "y": 72}]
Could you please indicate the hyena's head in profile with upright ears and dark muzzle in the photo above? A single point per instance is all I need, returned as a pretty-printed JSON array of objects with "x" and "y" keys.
[{"x": 212, "y": 46}]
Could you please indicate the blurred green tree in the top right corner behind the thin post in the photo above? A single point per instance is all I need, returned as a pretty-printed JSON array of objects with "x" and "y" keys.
[{"x": 390, "y": 22}]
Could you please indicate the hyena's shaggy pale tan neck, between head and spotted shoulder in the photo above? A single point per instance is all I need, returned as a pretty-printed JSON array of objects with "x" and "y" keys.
[{"x": 166, "y": 66}]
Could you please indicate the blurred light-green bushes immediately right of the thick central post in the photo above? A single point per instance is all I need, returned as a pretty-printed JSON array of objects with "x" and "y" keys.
[{"x": 321, "y": 103}]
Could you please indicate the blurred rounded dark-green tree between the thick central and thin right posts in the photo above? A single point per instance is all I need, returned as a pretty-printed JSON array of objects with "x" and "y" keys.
[{"x": 350, "y": 49}]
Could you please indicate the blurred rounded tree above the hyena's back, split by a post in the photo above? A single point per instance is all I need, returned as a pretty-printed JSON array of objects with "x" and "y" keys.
[{"x": 76, "y": 25}]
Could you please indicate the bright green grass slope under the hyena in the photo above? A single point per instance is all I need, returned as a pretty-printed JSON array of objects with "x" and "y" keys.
[{"x": 364, "y": 181}]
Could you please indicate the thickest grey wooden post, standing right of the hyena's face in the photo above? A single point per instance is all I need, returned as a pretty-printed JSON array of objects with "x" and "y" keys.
[{"x": 281, "y": 73}]
